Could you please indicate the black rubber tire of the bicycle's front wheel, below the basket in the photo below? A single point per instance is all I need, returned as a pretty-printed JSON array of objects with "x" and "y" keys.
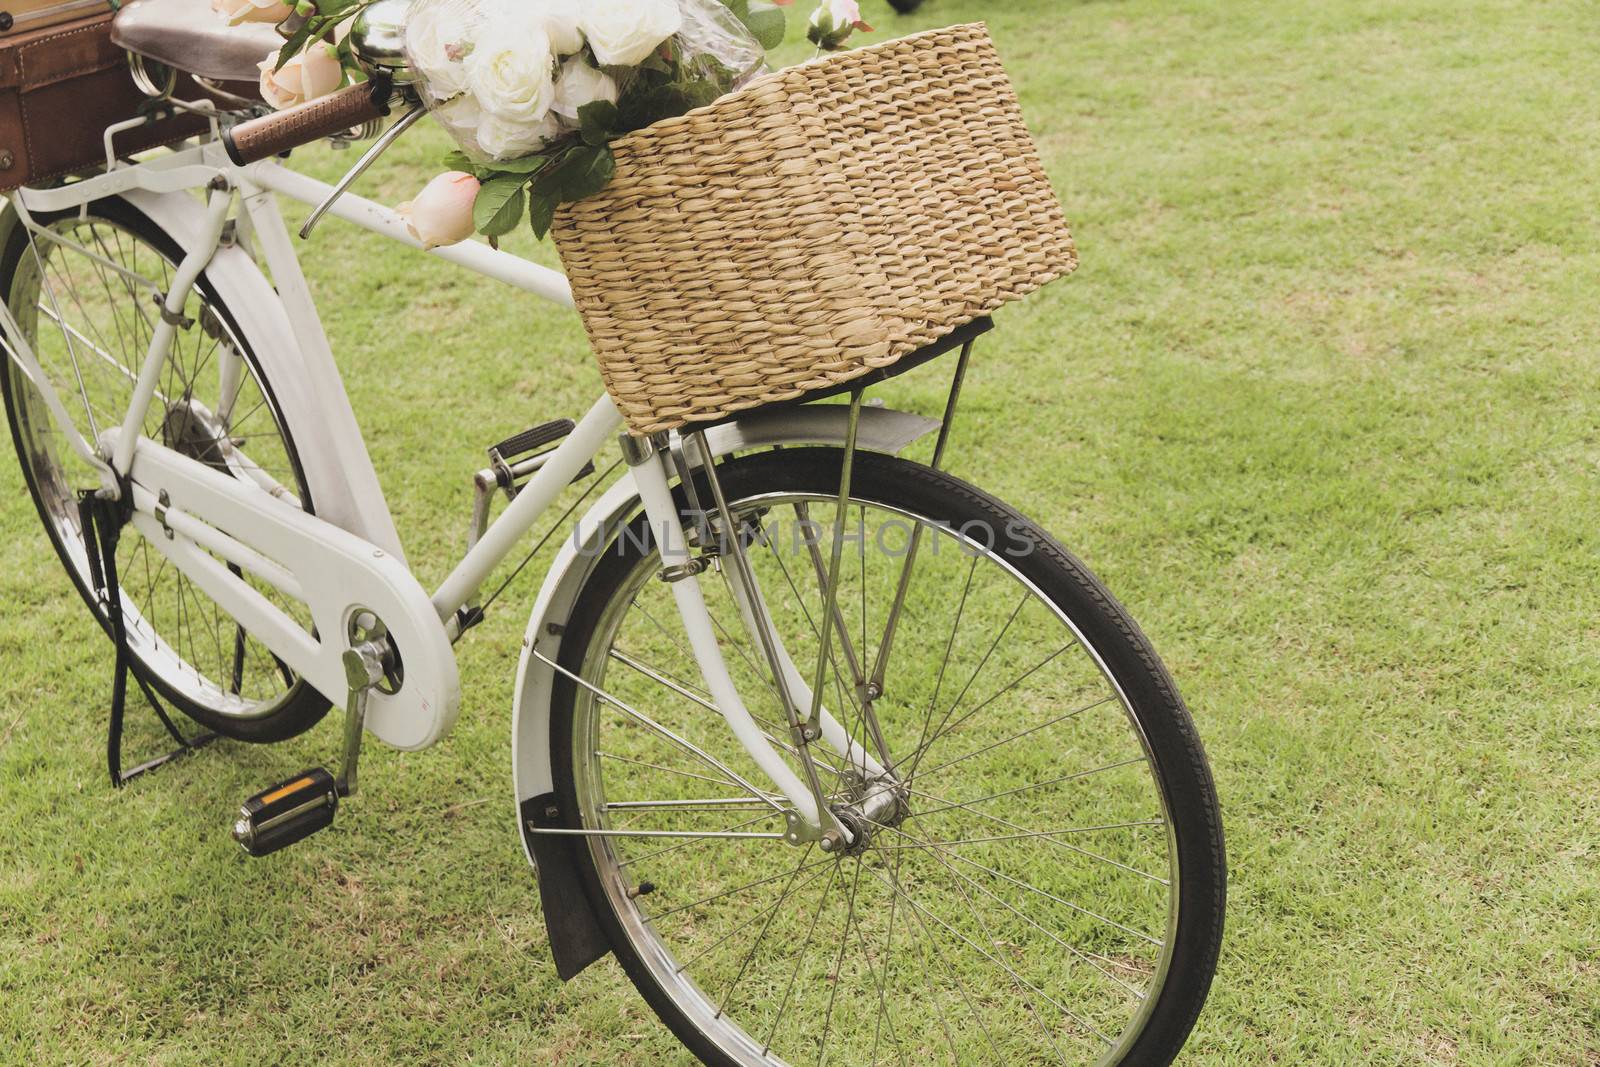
[{"x": 1178, "y": 756}]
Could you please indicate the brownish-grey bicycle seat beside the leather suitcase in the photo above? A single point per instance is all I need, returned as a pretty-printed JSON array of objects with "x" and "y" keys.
[{"x": 190, "y": 36}]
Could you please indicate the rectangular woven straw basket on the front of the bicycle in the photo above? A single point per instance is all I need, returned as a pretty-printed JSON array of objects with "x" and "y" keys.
[{"x": 815, "y": 226}]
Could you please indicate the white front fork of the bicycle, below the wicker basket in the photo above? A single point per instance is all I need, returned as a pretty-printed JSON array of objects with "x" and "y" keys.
[{"x": 812, "y": 818}]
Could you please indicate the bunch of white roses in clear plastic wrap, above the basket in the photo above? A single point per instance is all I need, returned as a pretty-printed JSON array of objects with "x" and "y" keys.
[{"x": 508, "y": 79}]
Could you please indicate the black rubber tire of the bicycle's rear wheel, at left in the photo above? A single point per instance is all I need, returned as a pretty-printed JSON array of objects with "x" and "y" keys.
[{"x": 302, "y": 706}]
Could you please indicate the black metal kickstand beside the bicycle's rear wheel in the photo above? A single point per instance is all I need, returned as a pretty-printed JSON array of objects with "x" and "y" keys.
[{"x": 102, "y": 522}]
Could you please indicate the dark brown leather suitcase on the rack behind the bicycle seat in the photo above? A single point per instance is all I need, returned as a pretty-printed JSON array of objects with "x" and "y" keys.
[{"x": 60, "y": 89}]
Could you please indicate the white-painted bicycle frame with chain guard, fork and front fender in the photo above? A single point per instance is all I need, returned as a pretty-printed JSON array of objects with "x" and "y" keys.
[{"x": 348, "y": 557}]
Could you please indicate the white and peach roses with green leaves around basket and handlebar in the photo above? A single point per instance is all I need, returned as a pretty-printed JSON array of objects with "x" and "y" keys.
[{"x": 535, "y": 92}]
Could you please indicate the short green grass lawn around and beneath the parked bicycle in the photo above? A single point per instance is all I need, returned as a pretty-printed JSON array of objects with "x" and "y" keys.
[{"x": 1318, "y": 407}]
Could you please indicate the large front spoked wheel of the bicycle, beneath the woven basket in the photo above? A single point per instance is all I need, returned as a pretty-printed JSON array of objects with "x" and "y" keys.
[{"x": 1050, "y": 884}]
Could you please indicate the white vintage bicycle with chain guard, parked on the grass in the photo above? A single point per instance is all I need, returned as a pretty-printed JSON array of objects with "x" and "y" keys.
[{"x": 842, "y": 757}]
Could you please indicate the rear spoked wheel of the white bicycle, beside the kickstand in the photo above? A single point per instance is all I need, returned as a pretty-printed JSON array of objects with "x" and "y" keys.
[{"x": 86, "y": 294}]
